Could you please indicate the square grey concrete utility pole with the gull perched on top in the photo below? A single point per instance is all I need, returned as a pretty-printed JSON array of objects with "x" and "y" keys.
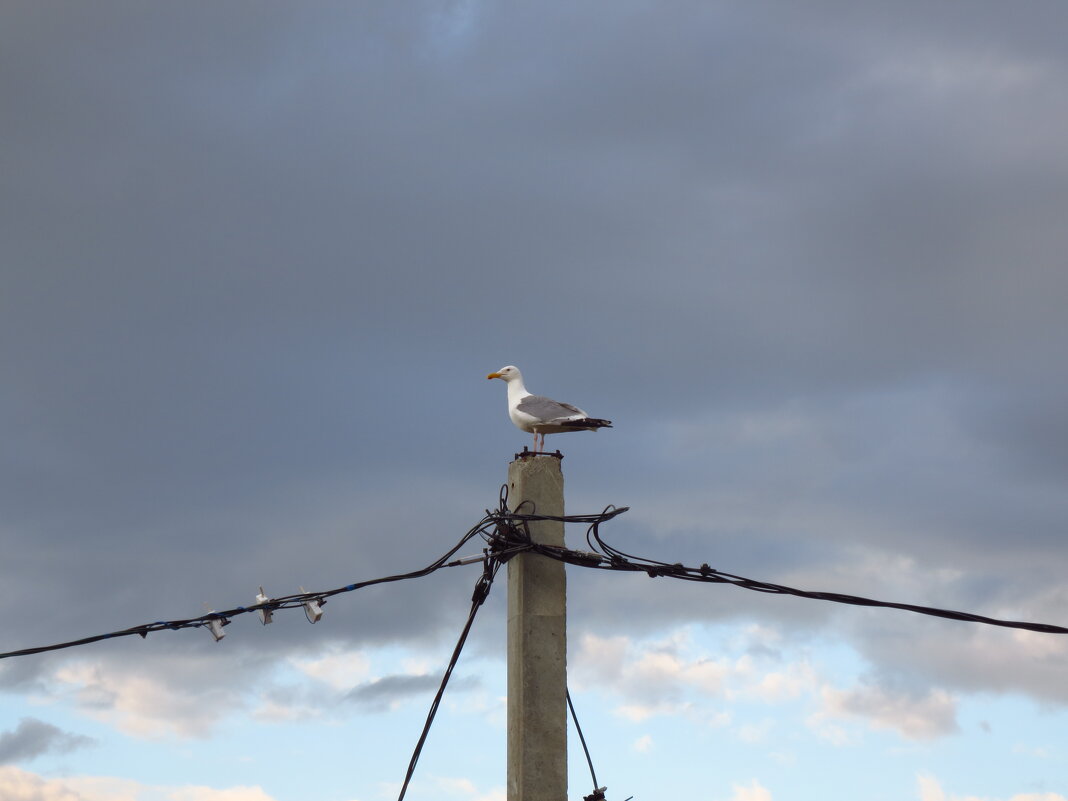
[{"x": 538, "y": 642}]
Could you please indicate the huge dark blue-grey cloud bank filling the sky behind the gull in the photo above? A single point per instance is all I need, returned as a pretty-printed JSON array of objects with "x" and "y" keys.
[{"x": 258, "y": 261}]
